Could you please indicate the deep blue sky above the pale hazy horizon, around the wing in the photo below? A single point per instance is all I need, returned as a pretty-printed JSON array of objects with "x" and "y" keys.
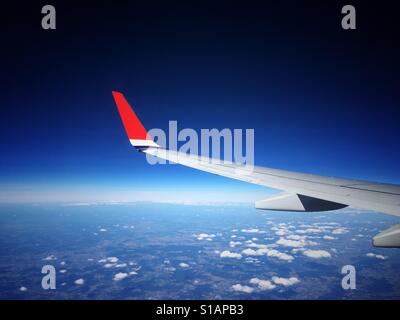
[{"x": 320, "y": 99}]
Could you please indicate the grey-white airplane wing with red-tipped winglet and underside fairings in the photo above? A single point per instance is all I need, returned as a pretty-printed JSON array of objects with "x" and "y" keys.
[{"x": 302, "y": 192}]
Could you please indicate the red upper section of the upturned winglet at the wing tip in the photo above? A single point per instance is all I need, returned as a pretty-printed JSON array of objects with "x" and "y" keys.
[{"x": 133, "y": 127}]
